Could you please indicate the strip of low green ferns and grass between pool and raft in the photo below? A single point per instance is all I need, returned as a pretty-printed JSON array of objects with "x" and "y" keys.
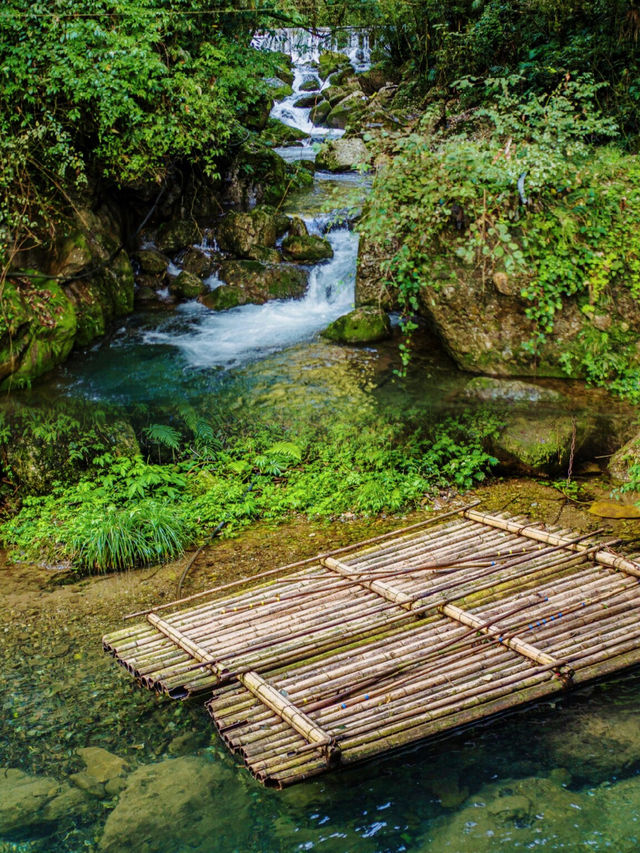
[{"x": 133, "y": 511}]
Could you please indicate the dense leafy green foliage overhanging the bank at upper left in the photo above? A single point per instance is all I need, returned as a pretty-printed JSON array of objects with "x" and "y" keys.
[{"x": 122, "y": 89}]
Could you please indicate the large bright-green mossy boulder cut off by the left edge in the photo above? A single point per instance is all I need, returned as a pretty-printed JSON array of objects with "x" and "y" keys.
[{"x": 38, "y": 327}]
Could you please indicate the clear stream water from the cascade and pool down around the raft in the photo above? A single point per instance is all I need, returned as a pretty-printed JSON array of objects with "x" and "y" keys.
[{"x": 561, "y": 776}]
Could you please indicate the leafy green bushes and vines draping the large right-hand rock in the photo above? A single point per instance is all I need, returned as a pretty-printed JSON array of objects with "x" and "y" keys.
[{"x": 452, "y": 206}]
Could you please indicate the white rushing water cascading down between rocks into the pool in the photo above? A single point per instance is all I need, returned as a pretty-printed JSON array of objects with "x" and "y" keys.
[{"x": 233, "y": 337}]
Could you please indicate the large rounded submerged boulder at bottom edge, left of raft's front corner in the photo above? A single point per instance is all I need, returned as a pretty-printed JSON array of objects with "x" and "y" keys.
[{"x": 160, "y": 800}]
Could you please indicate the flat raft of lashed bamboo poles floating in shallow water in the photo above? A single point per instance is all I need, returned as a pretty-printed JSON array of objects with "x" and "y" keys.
[{"x": 410, "y": 635}]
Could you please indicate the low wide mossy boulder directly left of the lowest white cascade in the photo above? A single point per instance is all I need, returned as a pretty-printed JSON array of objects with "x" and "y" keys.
[{"x": 255, "y": 282}]
